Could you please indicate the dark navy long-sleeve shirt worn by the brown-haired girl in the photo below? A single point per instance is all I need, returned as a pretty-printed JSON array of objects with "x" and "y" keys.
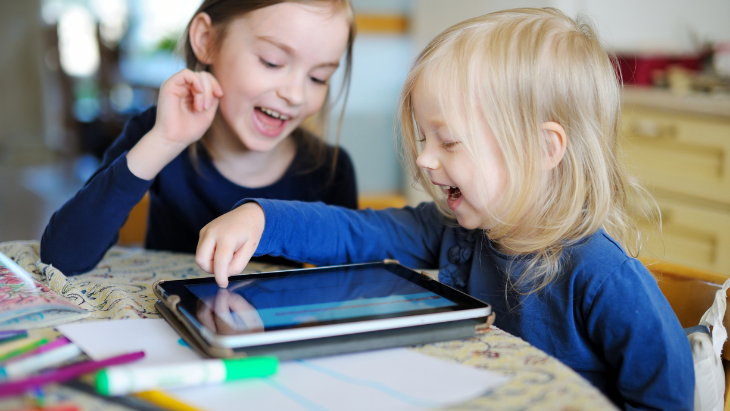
[{"x": 183, "y": 199}]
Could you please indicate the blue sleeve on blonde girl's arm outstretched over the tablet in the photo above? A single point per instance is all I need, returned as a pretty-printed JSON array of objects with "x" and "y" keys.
[{"x": 325, "y": 235}]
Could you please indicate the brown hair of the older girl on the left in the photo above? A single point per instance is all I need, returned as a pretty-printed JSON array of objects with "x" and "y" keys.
[{"x": 221, "y": 12}]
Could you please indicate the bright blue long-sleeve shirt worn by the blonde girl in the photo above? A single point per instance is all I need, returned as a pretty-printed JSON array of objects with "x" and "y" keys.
[{"x": 604, "y": 315}]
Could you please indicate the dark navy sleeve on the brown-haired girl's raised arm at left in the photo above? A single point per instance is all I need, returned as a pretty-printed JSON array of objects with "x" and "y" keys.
[{"x": 86, "y": 226}]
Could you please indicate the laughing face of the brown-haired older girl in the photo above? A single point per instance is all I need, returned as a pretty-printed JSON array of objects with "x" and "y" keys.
[{"x": 274, "y": 65}]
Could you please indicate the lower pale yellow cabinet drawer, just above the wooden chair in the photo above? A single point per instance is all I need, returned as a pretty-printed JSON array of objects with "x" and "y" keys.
[{"x": 691, "y": 235}]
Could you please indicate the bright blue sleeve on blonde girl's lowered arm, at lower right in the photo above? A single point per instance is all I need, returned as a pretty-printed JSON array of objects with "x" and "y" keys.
[{"x": 642, "y": 340}]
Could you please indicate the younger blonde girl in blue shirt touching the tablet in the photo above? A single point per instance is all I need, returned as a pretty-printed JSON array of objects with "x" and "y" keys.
[{"x": 511, "y": 122}]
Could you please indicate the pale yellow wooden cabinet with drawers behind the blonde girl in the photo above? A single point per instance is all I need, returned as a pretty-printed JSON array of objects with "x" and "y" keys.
[{"x": 679, "y": 147}]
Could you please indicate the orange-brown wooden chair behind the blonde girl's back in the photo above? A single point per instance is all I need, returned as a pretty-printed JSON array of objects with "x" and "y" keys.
[{"x": 691, "y": 292}]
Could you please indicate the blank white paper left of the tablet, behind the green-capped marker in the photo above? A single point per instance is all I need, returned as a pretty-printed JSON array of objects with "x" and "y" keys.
[{"x": 104, "y": 339}]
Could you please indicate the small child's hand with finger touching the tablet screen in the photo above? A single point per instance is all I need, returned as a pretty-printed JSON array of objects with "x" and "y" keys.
[{"x": 227, "y": 243}]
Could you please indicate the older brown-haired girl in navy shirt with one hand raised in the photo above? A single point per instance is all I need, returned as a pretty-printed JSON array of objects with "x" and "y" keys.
[{"x": 225, "y": 128}]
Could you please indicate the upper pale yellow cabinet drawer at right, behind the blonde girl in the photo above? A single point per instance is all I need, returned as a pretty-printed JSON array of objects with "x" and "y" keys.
[{"x": 684, "y": 154}]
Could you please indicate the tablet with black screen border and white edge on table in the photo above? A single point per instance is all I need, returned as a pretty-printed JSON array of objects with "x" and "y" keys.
[{"x": 309, "y": 304}]
